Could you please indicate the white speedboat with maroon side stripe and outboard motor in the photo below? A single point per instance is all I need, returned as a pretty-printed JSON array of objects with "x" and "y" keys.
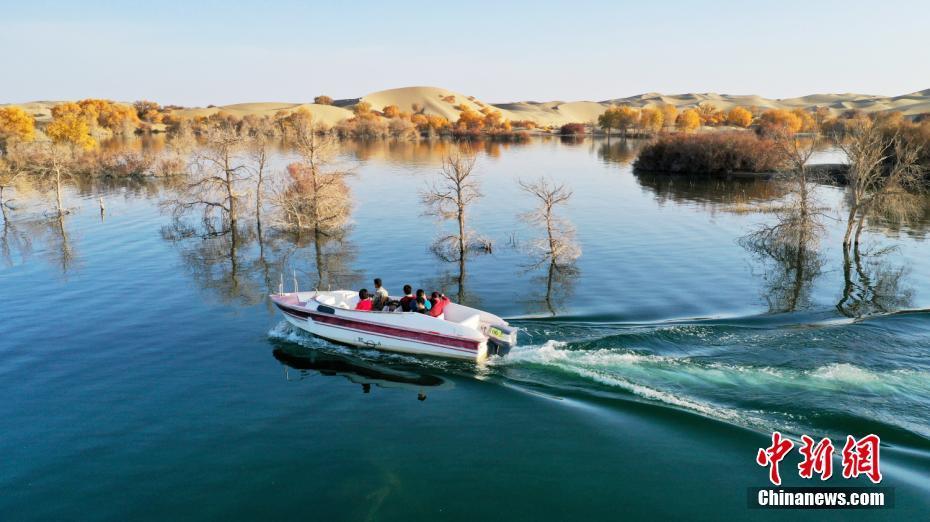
[{"x": 460, "y": 332}]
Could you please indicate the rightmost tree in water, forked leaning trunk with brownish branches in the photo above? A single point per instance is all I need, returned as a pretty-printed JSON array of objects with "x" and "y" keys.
[{"x": 884, "y": 175}]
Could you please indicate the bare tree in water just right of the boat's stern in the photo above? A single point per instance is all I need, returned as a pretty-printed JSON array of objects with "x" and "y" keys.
[{"x": 557, "y": 249}]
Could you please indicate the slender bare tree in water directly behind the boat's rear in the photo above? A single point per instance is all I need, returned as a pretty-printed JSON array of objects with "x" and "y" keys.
[{"x": 449, "y": 197}]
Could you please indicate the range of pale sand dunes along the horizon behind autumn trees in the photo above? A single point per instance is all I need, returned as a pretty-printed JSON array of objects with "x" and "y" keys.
[{"x": 436, "y": 100}]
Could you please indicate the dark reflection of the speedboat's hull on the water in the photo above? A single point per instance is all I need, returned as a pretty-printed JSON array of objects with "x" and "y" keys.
[{"x": 310, "y": 362}]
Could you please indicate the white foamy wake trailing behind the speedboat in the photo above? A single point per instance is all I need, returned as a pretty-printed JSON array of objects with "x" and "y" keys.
[{"x": 825, "y": 377}]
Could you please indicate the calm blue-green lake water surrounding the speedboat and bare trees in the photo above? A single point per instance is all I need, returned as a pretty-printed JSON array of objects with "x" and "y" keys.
[{"x": 146, "y": 377}]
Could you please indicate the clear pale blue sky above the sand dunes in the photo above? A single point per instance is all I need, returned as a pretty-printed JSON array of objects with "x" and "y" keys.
[{"x": 195, "y": 53}]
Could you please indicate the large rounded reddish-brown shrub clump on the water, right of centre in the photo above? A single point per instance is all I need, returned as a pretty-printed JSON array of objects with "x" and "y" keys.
[{"x": 712, "y": 153}]
